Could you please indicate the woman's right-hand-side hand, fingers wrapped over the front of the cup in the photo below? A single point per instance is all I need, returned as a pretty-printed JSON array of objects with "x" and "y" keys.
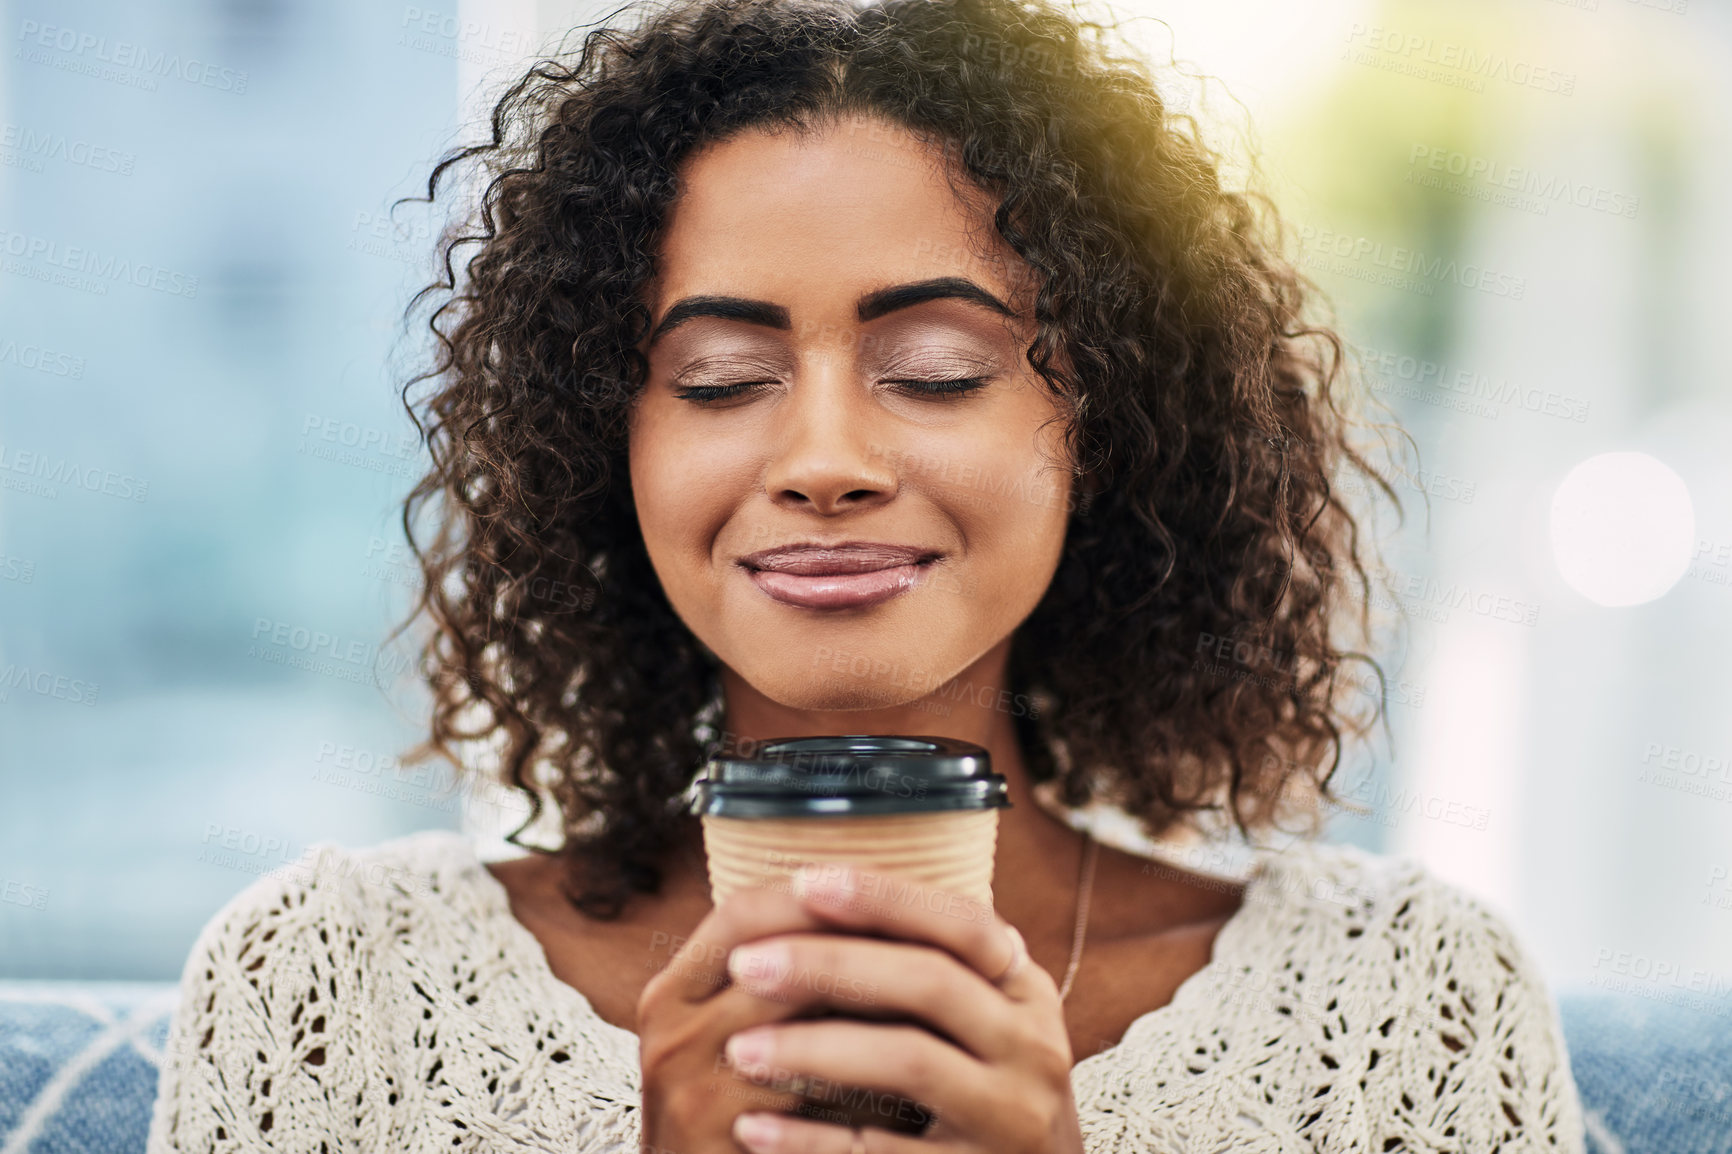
[{"x": 992, "y": 1060}]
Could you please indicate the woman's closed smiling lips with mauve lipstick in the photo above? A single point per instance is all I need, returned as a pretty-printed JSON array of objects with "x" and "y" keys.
[{"x": 855, "y": 574}]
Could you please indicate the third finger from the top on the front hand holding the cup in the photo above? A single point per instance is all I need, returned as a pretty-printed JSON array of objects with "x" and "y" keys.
[{"x": 848, "y": 1058}]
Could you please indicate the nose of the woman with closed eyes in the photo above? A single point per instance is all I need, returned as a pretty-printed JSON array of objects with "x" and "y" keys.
[{"x": 829, "y": 458}]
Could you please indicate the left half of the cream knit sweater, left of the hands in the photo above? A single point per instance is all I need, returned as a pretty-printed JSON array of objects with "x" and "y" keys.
[{"x": 384, "y": 999}]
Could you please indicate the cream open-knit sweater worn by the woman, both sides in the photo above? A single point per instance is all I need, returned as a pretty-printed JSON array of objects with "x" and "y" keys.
[{"x": 389, "y": 1001}]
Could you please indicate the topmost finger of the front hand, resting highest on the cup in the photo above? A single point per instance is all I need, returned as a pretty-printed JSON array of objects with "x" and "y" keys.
[{"x": 898, "y": 905}]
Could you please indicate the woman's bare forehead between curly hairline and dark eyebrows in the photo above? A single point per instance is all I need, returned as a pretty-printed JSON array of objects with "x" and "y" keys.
[{"x": 818, "y": 217}]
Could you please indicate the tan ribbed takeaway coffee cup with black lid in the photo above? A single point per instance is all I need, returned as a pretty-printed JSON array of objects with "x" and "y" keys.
[{"x": 924, "y": 808}]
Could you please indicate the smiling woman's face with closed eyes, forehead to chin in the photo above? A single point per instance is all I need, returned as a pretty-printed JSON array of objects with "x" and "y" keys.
[{"x": 850, "y": 483}]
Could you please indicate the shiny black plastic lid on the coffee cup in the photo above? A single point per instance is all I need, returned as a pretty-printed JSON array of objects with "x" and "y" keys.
[{"x": 837, "y": 777}]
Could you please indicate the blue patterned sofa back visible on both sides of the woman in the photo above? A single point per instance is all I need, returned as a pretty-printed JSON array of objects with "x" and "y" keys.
[{"x": 79, "y": 1070}]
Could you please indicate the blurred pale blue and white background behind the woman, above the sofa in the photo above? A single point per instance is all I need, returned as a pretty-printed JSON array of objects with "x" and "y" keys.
[{"x": 1518, "y": 209}]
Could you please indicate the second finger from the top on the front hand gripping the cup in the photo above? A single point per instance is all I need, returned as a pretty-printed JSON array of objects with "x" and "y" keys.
[{"x": 877, "y": 978}]
